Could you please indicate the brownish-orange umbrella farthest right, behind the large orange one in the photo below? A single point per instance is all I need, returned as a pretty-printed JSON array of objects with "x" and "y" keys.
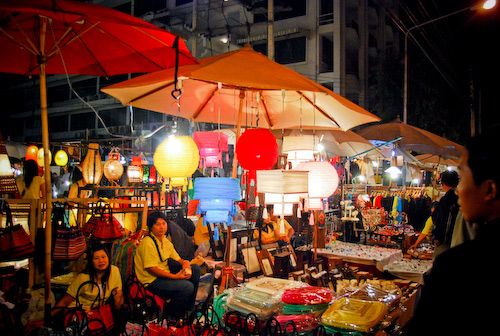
[{"x": 413, "y": 138}]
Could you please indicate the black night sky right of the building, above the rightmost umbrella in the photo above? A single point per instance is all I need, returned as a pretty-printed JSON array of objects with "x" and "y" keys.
[{"x": 462, "y": 48}]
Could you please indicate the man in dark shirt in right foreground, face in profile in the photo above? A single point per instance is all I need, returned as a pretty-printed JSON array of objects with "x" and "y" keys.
[{"x": 459, "y": 296}]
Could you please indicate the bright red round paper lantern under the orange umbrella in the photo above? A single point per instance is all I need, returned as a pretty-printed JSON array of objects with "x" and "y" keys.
[{"x": 257, "y": 149}]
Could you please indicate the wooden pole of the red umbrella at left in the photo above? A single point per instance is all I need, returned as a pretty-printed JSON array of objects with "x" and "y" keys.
[{"x": 47, "y": 173}]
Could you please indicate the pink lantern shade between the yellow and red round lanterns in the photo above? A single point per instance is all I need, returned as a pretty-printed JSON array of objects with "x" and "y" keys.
[{"x": 211, "y": 146}]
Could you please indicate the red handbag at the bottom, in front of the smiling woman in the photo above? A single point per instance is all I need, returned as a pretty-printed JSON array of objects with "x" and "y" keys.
[{"x": 99, "y": 317}]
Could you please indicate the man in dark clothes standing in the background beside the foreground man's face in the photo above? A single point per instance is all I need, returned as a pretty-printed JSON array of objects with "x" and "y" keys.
[{"x": 446, "y": 212}]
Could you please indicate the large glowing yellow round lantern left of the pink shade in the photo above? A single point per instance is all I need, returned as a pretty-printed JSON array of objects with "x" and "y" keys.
[{"x": 176, "y": 156}]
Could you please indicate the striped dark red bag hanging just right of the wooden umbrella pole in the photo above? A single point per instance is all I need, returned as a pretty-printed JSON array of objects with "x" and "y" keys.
[{"x": 69, "y": 242}]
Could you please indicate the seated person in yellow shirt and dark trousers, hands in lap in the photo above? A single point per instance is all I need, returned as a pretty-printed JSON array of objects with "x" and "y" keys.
[{"x": 152, "y": 268}]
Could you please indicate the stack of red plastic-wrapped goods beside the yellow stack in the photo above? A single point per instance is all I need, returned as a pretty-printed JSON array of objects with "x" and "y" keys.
[{"x": 312, "y": 300}]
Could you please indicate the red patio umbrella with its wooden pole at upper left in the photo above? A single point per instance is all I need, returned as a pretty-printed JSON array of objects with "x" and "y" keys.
[{"x": 67, "y": 37}]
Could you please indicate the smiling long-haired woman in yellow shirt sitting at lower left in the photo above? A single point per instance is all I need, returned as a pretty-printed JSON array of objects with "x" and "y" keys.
[{"x": 100, "y": 271}]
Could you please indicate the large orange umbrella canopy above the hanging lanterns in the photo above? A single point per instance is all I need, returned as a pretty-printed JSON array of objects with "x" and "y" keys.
[{"x": 242, "y": 85}]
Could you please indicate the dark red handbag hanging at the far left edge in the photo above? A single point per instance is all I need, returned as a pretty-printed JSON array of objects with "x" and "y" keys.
[{"x": 15, "y": 243}]
